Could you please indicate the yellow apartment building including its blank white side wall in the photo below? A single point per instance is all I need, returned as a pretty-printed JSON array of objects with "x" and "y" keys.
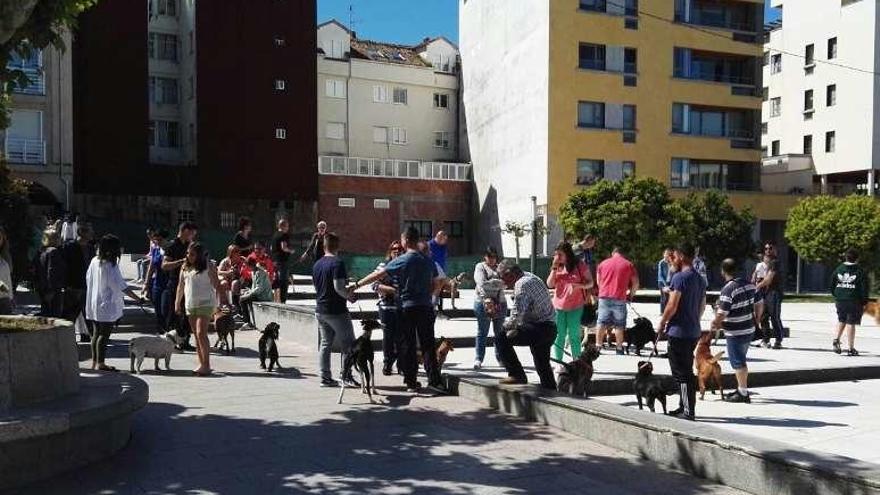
[{"x": 560, "y": 94}]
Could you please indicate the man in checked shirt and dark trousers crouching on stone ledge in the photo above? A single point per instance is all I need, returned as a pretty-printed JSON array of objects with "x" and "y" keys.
[{"x": 532, "y": 322}]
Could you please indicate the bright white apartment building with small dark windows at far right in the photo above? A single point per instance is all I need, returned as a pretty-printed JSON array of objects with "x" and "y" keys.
[{"x": 821, "y": 97}]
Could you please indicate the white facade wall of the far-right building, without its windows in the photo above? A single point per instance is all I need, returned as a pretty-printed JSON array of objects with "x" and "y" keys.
[{"x": 854, "y": 118}]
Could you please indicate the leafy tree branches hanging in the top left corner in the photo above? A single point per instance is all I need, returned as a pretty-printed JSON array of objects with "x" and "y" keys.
[{"x": 27, "y": 25}]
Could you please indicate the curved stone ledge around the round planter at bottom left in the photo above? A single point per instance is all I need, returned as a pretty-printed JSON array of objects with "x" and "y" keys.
[{"x": 42, "y": 441}]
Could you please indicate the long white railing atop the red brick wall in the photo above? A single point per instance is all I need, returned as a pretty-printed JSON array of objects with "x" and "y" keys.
[{"x": 393, "y": 169}]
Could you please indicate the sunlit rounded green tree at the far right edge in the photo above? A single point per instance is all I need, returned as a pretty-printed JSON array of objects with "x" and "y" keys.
[{"x": 821, "y": 228}]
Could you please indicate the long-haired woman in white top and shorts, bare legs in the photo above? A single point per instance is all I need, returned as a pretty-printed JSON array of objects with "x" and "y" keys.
[{"x": 198, "y": 286}]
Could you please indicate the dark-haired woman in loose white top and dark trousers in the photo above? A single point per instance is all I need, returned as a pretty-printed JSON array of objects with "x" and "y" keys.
[{"x": 105, "y": 287}]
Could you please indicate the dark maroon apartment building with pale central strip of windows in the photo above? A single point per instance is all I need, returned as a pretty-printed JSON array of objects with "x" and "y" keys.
[{"x": 190, "y": 110}]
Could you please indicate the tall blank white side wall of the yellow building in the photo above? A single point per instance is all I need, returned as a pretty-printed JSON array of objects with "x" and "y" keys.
[{"x": 505, "y": 62}]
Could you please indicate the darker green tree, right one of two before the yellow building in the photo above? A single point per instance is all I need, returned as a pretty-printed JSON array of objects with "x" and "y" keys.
[{"x": 708, "y": 220}]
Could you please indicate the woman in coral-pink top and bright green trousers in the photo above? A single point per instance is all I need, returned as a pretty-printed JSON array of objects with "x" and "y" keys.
[{"x": 570, "y": 278}]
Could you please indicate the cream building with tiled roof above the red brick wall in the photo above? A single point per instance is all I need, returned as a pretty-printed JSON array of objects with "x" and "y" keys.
[{"x": 396, "y": 106}]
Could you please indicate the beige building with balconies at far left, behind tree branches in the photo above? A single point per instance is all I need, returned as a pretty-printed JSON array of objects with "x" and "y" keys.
[{"x": 38, "y": 145}]
